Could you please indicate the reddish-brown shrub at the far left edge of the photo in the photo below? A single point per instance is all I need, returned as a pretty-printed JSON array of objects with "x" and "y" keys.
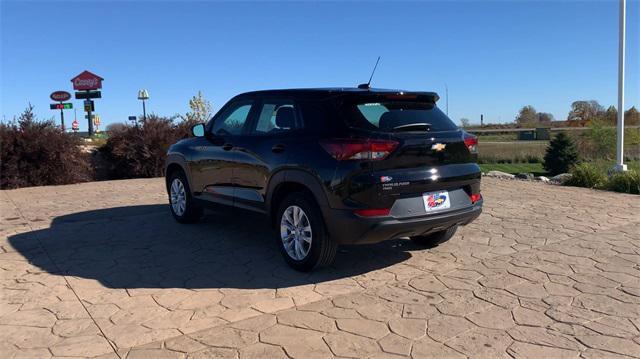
[{"x": 38, "y": 153}]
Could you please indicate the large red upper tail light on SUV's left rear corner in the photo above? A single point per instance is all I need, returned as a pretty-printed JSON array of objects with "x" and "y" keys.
[{"x": 354, "y": 149}]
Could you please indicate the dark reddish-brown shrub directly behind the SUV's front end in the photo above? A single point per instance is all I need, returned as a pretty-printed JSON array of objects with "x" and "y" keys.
[{"x": 140, "y": 151}]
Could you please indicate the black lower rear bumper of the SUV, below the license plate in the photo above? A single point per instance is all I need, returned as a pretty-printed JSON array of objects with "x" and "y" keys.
[{"x": 345, "y": 227}]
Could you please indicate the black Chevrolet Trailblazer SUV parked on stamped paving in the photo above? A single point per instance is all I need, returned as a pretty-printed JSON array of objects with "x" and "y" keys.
[{"x": 330, "y": 167}]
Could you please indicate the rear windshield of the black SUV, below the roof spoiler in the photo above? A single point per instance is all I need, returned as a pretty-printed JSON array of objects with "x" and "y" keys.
[{"x": 391, "y": 116}]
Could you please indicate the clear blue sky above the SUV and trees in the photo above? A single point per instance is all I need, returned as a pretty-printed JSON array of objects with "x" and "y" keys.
[{"x": 495, "y": 57}]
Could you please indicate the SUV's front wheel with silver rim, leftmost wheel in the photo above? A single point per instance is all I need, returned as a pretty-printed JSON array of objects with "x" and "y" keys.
[{"x": 181, "y": 203}]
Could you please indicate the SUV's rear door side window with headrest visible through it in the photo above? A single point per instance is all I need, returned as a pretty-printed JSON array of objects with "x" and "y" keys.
[{"x": 276, "y": 117}]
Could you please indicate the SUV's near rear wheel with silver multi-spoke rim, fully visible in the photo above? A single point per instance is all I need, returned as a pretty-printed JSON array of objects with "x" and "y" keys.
[{"x": 302, "y": 235}]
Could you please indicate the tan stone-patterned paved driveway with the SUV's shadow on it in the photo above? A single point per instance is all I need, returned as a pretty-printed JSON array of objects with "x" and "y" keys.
[{"x": 101, "y": 269}]
